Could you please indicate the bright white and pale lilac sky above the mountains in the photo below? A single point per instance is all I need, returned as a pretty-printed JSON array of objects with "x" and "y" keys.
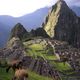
[{"x": 17, "y": 8}]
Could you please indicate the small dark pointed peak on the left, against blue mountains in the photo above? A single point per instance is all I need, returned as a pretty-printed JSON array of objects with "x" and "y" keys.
[{"x": 19, "y": 31}]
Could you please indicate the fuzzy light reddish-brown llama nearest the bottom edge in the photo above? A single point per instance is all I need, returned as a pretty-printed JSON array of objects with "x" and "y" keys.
[{"x": 20, "y": 74}]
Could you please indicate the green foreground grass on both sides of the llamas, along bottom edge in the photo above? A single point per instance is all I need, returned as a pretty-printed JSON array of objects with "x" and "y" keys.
[{"x": 10, "y": 74}]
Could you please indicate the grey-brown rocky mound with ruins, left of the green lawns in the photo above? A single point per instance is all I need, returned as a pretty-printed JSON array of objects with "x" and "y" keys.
[{"x": 13, "y": 49}]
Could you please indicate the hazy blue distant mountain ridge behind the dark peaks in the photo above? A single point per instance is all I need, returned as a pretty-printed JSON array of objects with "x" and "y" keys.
[{"x": 30, "y": 21}]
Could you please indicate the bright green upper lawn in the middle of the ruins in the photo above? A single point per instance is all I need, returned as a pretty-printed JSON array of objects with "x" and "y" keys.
[{"x": 39, "y": 50}]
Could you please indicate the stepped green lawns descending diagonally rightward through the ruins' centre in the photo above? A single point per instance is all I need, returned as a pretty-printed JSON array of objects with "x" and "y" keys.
[{"x": 38, "y": 50}]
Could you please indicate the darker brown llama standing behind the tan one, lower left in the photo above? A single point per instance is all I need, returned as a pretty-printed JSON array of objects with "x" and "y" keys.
[{"x": 14, "y": 64}]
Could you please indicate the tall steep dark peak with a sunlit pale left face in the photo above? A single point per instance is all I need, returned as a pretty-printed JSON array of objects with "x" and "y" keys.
[{"x": 62, "y": 23}]
